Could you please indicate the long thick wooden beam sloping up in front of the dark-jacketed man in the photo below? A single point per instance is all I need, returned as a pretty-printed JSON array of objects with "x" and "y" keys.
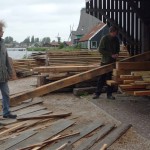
[{"x": 72, "y": 80}]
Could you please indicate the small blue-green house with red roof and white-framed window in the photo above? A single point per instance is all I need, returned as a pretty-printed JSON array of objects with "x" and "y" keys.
[{"x": 91, "y": 40}]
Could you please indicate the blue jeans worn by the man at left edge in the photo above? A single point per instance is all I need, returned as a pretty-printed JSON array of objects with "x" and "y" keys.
[{"x": 5, "y": 97}]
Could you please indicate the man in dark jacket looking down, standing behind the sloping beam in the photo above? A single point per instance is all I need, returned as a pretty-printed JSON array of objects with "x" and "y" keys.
[{"x": 109, "y": 48}]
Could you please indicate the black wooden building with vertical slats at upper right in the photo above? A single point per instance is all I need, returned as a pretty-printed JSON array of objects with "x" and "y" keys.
[{"x": 132, "y": 17}]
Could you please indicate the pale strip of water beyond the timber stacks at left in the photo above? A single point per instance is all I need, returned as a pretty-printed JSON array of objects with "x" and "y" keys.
[{"x": 18, "y": 53}]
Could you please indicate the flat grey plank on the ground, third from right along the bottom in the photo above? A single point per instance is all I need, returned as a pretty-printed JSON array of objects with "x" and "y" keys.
[{"x": 83, "y": 132}]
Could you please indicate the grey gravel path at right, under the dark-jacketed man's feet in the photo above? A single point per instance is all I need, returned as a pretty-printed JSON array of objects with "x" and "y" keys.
[{"x": 128, "y": 109}]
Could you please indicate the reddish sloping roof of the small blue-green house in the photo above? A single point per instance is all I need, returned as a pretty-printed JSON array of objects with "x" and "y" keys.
[{"x": 94, "y": 31}]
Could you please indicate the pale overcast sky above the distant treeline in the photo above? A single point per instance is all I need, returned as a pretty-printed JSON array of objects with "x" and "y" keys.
[{"x": 41, "y": 18}]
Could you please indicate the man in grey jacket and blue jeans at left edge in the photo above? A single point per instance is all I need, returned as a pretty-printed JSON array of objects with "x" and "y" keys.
[{"x": 5, "y": 74}]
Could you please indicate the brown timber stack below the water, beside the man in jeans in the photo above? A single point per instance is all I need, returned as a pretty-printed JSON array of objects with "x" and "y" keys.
[{"x": 24, "y": 67}]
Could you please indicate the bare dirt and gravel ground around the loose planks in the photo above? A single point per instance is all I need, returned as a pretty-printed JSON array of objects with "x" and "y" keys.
[{"x": 125, "y": 109}]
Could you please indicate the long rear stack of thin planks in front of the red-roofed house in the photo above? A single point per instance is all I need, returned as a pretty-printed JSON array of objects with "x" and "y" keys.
[{"x": 77, "y": 57}]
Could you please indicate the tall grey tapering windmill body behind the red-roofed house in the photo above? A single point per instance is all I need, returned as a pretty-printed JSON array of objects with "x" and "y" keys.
[{"x": 86, "y": 23}]
